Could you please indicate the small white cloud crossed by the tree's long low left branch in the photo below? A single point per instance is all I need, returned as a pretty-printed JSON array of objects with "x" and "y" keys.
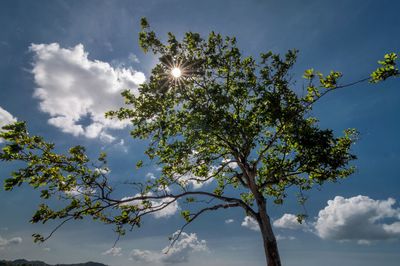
[{"x": 171, "y": 205}]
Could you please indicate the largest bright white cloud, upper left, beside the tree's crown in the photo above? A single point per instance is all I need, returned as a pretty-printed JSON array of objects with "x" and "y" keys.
[{"x": 76, "y": 91}]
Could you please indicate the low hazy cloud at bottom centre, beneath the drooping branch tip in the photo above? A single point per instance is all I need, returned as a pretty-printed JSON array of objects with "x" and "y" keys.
[{"x": 178, "y": 253}]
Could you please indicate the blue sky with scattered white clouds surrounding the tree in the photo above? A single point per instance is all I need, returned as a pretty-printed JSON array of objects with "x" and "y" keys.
[{"x": 64, "y": 63}]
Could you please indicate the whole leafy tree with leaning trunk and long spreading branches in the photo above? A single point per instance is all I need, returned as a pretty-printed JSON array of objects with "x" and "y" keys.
[{"x": 212, "y": 116}]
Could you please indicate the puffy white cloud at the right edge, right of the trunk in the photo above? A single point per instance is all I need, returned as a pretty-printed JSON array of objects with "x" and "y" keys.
[{"x": 359, "y": 218}]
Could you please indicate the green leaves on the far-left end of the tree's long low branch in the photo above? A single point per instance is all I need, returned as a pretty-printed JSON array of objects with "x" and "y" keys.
[{"x": 71, "y": 178}]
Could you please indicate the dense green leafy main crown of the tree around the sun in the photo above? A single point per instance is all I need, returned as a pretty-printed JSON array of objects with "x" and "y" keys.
[{"x": 226, "y": 106}]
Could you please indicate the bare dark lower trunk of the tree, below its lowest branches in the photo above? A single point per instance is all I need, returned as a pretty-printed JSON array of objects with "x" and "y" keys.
[{"x": 270, "y": 245}]
